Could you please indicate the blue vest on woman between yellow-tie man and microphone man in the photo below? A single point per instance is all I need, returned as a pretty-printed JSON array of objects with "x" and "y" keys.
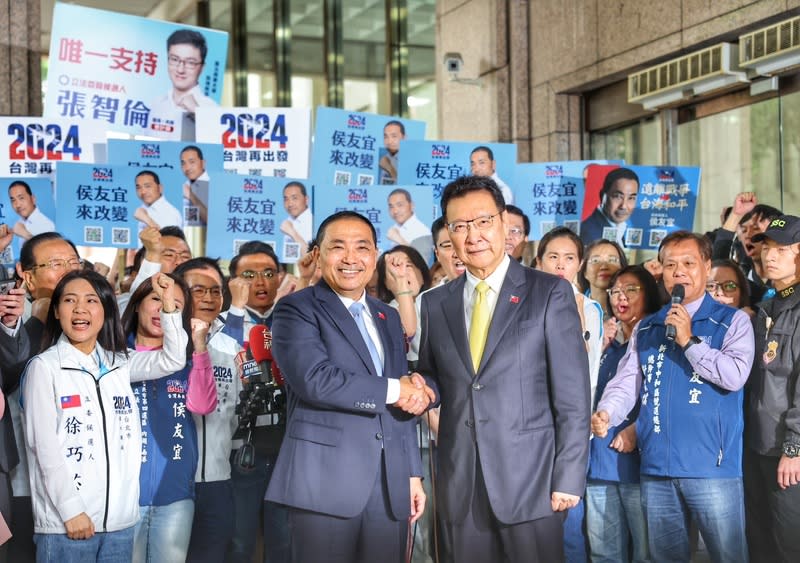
[{"x": 606, "y": 464}]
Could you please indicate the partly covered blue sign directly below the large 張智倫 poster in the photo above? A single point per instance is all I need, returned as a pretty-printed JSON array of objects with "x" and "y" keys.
[{"x": 197, "y": 163}]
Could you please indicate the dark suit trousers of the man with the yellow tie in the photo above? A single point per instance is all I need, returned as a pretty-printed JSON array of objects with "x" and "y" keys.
[{"x": 481, "y": 538}]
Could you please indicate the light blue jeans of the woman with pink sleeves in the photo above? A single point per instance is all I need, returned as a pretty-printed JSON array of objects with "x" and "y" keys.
[{"x": 163, "y": 532}]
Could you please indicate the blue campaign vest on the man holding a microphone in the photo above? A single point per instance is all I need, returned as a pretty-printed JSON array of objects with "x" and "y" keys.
[{"x": 687, "y": 427}]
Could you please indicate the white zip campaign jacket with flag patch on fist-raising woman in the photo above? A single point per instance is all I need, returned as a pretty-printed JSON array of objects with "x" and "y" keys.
[{"x": 82, "y": 432}]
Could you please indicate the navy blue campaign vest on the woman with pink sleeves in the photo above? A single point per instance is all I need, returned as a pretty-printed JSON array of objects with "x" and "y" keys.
[{"x": 169, "y": 440}]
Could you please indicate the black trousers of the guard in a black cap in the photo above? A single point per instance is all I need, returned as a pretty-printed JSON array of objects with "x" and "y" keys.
[{"x": 772, "y": 514}]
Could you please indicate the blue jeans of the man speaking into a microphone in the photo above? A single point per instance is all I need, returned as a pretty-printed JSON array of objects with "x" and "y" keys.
[{"x": 717, "y": 505}]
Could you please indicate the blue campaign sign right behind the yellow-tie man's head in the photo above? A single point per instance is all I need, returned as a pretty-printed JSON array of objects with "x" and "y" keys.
[{"x": 437, "y": 163}]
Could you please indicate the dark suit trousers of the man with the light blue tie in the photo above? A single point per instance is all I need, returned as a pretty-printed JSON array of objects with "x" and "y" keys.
[{"x": 371, "y": 536}]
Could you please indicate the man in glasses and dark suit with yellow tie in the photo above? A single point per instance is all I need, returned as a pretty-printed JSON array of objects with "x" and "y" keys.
[{"x": 503, "y": 347}]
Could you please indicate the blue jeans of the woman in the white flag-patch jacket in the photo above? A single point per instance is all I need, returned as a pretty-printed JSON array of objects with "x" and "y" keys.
[{"x": 104, "y": 547}]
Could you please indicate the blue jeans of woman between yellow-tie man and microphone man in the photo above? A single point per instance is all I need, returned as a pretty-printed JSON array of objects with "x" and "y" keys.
[{"x": 614, "y": 519}]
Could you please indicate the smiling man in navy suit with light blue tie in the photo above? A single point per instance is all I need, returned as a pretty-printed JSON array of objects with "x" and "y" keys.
[{"x": 349, "y": 468}]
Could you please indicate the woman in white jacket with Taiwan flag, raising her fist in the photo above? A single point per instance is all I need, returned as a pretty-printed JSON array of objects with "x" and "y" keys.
[{"x": 77, "y": 401}]
